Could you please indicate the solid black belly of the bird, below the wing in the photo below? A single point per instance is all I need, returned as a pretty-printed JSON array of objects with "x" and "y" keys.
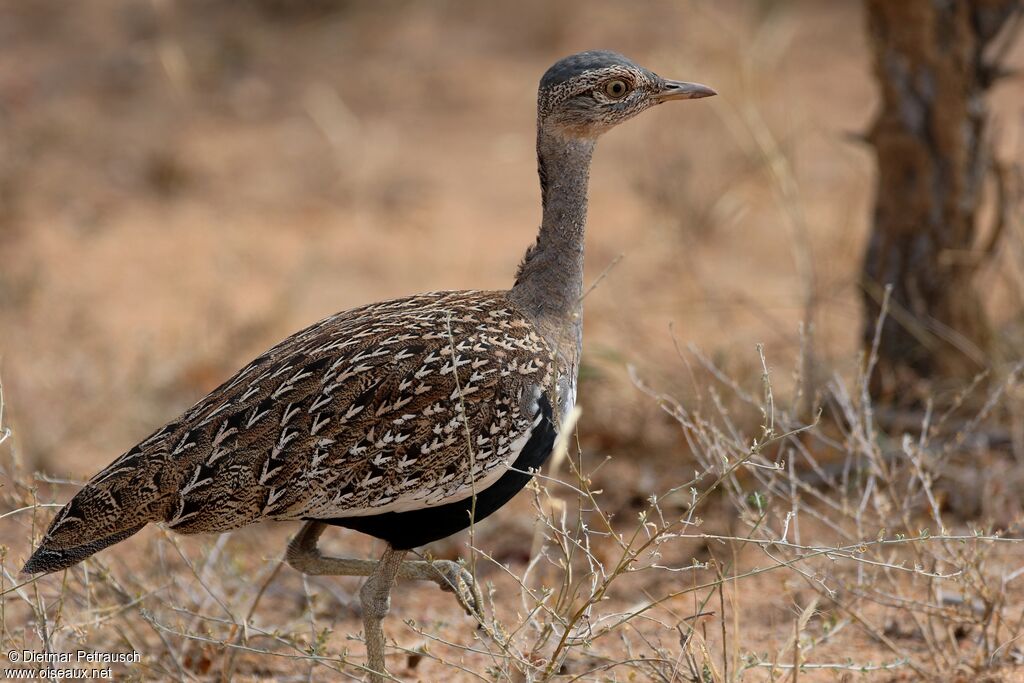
[{"x": 416, "y": 528}]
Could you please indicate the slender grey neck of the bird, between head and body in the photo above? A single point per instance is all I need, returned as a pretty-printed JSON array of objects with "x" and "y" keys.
[{"x": 549, "y": 283}]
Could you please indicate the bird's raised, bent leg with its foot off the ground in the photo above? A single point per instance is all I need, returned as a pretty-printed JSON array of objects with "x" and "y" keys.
[{"x": 306, "y": 557}]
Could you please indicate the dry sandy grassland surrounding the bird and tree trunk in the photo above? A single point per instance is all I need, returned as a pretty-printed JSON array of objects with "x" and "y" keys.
[{"x": 184, "y": 188}]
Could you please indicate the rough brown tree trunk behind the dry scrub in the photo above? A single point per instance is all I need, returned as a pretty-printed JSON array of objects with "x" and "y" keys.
[{"x": 929, "y": 139}]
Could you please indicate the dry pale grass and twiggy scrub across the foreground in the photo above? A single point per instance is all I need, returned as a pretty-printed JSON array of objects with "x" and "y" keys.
[{"x": 844, "y": 522}]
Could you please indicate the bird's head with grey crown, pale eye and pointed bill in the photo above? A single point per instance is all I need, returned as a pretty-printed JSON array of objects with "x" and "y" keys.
[{"x": 585, "y": 95}]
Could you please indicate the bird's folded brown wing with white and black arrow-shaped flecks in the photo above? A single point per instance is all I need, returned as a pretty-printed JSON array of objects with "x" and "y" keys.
[{"x": 396, "y": 406}]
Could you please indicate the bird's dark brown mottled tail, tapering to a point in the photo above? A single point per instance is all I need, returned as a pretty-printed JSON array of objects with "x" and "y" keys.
[{"x": 114, "y": 505}]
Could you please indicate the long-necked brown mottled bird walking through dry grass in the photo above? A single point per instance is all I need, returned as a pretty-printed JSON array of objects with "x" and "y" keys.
[{"x": 407, "y": 420}]
